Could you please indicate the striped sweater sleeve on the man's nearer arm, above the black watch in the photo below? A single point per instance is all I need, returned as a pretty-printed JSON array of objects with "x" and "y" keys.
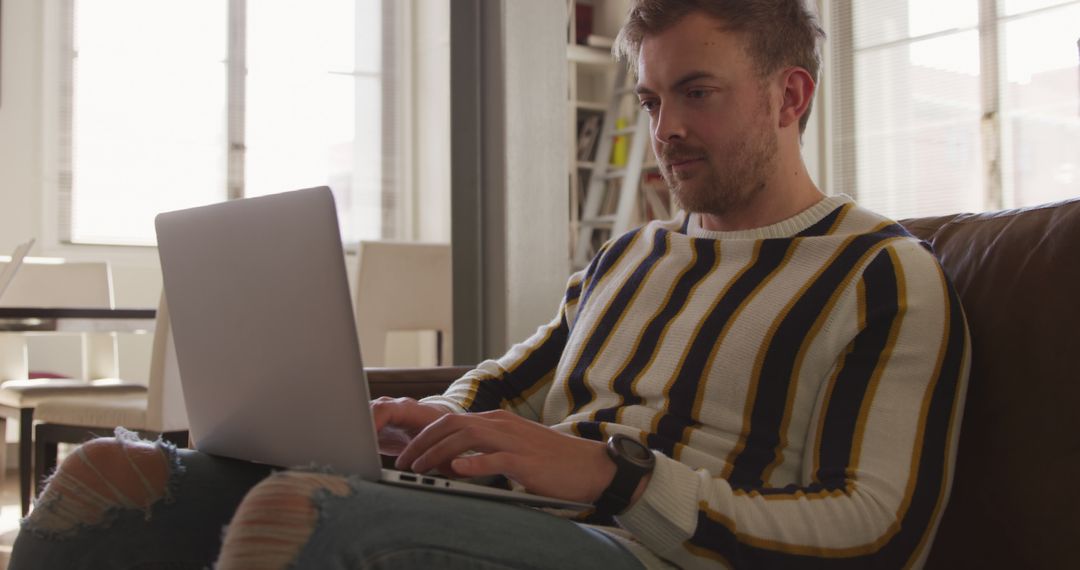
[{"x": 877, "y": 464}]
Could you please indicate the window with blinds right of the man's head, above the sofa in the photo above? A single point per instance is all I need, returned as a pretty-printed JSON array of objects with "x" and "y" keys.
[{"x": 960, "y": 106}]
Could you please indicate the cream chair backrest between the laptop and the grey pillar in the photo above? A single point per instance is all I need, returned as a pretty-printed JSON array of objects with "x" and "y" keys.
[{"x": 403, "y": 287}]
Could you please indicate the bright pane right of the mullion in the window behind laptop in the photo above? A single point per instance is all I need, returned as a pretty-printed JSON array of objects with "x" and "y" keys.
[{"x": 314, "y": 105}]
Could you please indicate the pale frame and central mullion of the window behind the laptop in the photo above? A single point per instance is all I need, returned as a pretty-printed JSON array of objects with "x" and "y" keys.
[{"x": 59, "y": 100}]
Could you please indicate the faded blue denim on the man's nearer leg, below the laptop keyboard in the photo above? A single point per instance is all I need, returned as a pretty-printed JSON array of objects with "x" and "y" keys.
[{"x": 410, "y": 528}]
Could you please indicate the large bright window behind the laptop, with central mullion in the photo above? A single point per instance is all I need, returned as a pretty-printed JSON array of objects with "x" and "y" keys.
[{"x": 172, "y": 104}]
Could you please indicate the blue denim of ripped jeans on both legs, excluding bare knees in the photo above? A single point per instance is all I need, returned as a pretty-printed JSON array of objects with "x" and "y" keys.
[{"x": 375, "y": 526}]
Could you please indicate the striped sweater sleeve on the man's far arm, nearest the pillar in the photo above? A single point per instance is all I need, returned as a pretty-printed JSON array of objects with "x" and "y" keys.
[{"x": 519, "y": 381}]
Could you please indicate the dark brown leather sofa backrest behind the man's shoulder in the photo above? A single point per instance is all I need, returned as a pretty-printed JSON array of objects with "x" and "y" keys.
[{"x": 1016, "y": 498}]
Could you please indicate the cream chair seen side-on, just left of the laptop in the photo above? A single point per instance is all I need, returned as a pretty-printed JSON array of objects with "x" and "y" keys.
[{"x": 160, "y": 412}]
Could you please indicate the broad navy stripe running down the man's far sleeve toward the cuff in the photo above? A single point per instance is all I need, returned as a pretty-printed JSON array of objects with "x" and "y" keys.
[{"x": 493, "y": 393}]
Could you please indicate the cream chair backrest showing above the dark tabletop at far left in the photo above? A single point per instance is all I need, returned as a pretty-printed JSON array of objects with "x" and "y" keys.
[{"x": 75, "y": 284}]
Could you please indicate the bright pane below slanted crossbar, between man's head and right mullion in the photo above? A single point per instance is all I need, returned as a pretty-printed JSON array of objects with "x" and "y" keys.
[{"x": 917, "y": 128}]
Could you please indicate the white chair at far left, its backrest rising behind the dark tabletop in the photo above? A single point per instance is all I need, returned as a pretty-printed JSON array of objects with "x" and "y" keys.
[{"x": 56, "y": 284}]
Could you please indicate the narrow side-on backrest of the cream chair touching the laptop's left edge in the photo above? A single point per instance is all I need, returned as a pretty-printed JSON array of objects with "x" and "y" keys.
[{"x": 166, "y": 409}]
